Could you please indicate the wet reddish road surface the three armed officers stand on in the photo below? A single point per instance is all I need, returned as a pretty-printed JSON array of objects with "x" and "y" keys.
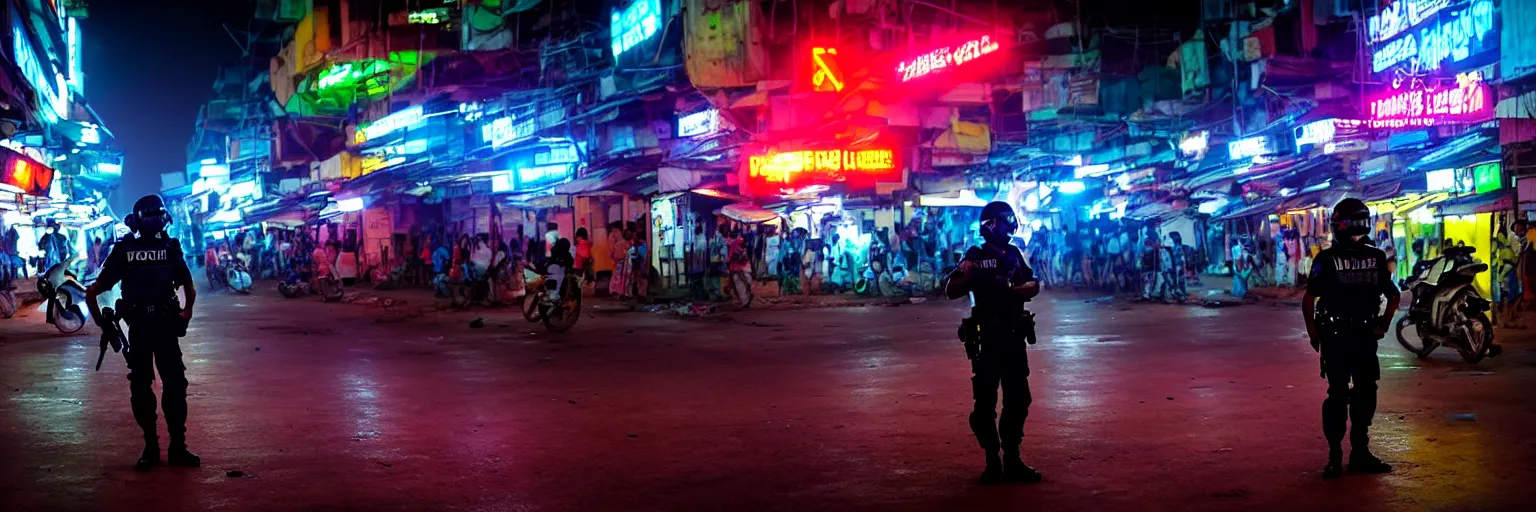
[{"x": 1137, "y": 407}]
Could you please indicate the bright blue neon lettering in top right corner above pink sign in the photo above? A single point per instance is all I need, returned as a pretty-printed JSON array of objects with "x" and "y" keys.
[{"x": 1449, "y": 41}]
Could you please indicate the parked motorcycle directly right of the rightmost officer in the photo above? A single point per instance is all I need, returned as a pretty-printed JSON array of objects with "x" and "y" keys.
[{"x": 1448, "y": 310}]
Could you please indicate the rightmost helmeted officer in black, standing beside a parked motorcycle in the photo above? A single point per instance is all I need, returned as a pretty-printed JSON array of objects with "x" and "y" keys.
[{"x": 1345, "y": 321}]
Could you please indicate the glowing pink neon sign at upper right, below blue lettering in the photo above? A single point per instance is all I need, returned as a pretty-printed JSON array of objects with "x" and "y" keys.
[{"x": 1468, "y": 102}]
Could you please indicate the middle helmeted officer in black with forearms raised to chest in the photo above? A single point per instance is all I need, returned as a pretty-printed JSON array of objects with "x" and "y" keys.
[{"x": 999, "y": 282}]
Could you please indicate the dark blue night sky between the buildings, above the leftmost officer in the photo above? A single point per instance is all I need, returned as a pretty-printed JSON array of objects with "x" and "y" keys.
[{"x": 150, "y": 65}]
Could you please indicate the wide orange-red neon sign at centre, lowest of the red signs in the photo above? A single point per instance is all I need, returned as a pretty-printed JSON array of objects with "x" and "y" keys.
[{"x": 783, "y": 173}]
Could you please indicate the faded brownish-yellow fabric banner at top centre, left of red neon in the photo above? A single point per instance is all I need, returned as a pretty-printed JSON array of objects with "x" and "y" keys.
[{"x": 724, "y": 44}]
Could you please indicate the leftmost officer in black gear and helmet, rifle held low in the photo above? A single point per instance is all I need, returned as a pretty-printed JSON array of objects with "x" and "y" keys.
[{"x": 151, "y": 268}]
